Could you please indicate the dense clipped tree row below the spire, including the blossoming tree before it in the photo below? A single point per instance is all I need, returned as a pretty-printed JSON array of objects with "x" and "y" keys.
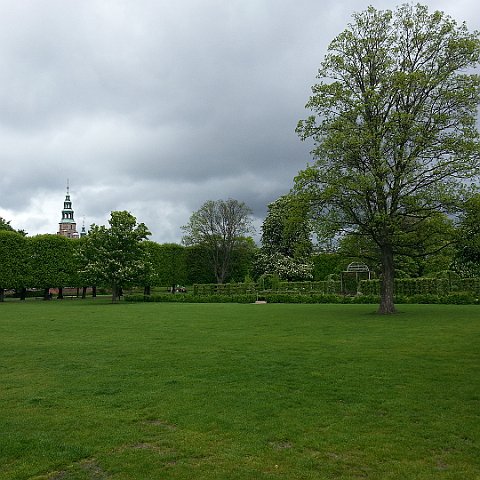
[{"x": 116, "y": 256}]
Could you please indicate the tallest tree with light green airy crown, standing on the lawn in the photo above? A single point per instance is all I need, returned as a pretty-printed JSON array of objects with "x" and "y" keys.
[{"x": 394, "y": 127}]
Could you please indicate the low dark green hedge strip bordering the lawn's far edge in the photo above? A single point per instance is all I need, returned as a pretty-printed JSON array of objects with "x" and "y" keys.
[{"x": 458, "y": 298}]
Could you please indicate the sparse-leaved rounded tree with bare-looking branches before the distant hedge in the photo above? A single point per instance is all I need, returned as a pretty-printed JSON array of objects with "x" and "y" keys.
[{"x": 220, "y": 226}]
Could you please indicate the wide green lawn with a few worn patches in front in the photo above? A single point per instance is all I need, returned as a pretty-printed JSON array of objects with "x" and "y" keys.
[{"x": 91, "y": 390}]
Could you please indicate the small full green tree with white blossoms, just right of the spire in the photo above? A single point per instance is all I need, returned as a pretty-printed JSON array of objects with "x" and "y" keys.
[{"x": 113, "y": 255}]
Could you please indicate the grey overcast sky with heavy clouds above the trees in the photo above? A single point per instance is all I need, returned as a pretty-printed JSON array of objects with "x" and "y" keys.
[{"x": 156, "y": 106}]
